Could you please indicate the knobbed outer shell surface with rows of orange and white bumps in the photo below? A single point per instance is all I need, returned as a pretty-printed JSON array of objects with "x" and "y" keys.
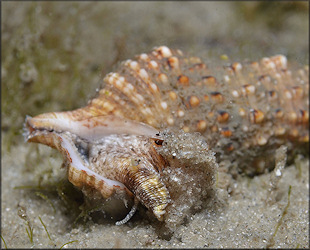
[{"x": 246, "y": 110}]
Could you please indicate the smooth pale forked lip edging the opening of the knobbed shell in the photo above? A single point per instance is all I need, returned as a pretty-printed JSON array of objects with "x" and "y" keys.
[{"x": 48, "y": 127}]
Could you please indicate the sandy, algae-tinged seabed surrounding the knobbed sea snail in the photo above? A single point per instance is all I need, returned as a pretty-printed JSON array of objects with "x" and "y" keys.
[{"x": 52, "y": 57}]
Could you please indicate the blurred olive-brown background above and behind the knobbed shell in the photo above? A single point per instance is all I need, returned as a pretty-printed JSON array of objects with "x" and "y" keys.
[{"x": 55, "y": 53}]
